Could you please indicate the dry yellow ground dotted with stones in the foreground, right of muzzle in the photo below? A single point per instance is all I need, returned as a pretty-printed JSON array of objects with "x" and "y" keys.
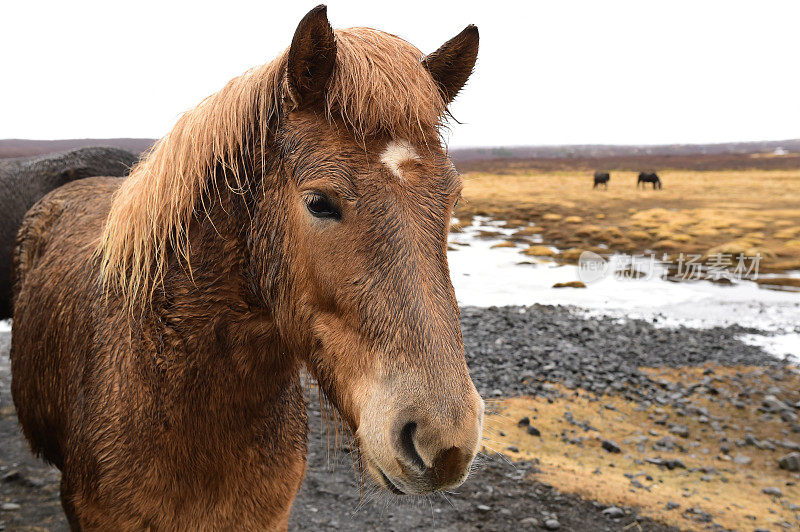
[{"x": 732, "y": 495}]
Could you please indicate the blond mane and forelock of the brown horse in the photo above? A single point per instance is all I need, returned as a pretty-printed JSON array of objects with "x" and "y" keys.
[{"x": 378, "y": 86}]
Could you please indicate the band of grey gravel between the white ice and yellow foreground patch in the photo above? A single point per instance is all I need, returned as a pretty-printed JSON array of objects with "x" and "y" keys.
[{"x": 517, "y": 350}]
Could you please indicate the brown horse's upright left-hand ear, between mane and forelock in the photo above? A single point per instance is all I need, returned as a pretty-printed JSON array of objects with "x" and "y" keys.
[{"x": 311, "y": 59}]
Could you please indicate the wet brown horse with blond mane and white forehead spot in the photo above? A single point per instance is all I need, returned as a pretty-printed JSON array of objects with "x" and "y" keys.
[{"x": 296, "y": 219}]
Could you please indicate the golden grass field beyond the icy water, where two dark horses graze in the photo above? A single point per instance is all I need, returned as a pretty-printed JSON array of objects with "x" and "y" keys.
[{"x": 749, "y": 210}]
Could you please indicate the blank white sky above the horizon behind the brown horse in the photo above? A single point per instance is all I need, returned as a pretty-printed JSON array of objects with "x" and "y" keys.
[{"x": 549, "y": 72}]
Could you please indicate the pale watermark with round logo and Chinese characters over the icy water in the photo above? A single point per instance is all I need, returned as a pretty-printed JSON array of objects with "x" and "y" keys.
[{"x": 718, "y": 267}]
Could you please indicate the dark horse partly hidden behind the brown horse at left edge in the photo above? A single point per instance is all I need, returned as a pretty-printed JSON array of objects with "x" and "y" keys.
[{"x": 23, "y": 182}]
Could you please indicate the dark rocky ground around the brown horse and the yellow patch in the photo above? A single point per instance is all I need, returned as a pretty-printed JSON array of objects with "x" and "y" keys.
[{"x": 512, "y": 351}]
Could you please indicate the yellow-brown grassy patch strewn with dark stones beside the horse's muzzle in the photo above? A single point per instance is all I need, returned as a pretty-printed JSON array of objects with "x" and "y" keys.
[{"x": 710, "y": 484}]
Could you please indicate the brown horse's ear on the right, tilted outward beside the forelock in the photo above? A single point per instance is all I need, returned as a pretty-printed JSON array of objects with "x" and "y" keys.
[{"x": 452, "y": 64}]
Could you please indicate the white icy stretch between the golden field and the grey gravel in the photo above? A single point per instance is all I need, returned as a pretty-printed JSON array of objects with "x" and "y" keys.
[{"x": 484, "y": 277}]
